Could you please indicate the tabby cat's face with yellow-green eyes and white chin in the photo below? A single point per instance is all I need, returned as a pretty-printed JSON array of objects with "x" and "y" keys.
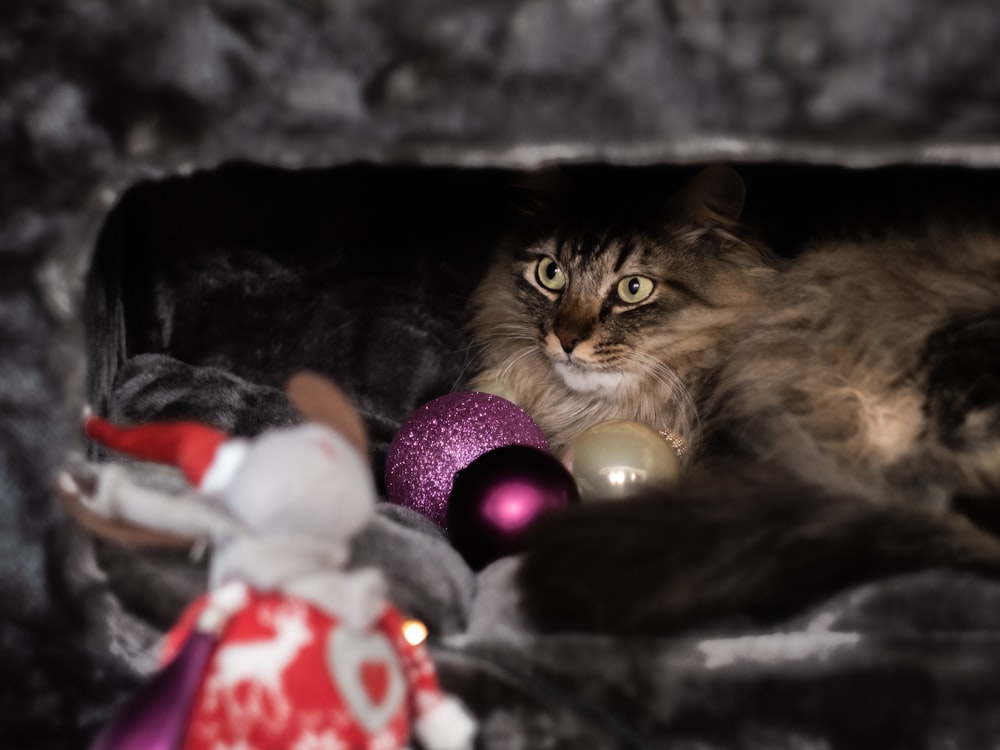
[{"x": 613, "y": 301}]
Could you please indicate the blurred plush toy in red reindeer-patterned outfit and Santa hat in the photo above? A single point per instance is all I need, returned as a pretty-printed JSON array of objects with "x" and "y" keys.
[{"x": 287, "y": 649}]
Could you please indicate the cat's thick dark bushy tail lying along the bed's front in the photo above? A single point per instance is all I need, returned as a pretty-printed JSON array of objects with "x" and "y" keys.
[{"x": 749, "y": 546}]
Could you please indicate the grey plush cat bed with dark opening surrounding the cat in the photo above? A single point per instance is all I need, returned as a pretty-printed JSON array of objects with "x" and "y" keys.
[{"x": 205, "y": 291}]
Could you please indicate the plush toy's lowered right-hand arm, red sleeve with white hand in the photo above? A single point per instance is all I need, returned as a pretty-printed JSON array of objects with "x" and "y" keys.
[{"x": 440, "y": 721}]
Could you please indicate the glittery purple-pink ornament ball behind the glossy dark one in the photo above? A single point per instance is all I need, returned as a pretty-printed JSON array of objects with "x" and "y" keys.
[{"x": 446, "y": 435}]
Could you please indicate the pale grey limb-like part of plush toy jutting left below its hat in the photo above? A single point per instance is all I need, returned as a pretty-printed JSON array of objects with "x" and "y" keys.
[{"x": 118, "y": 497}]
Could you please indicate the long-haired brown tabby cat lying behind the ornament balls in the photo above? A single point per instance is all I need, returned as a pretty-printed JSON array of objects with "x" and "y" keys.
[{"x": 839, "y": 411}]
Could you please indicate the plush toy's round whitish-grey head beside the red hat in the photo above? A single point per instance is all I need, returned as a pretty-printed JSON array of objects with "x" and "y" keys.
[{"x": 304, "y": 481}]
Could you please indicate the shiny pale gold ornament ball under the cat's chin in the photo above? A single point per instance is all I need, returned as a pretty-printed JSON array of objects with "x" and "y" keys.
[{"x": 619, "y": 459}]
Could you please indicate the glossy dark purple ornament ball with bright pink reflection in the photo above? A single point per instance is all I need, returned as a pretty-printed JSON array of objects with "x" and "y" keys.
[{"x": 499, "y": 496}]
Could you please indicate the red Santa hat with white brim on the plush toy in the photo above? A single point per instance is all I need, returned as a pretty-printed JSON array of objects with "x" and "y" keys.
[{"x": 207, "y": 456}]
